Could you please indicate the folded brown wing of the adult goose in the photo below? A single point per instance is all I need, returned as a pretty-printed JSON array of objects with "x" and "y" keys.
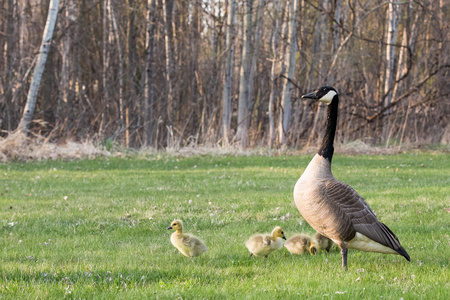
[{"x": 356, "y": 209}]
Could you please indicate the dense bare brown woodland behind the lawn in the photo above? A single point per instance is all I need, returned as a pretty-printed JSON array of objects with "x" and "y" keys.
[{"x": 177, "y": 73}]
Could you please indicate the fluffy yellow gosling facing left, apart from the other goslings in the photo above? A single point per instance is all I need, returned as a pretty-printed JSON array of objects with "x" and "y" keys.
[{"x": 187, "y": 244}]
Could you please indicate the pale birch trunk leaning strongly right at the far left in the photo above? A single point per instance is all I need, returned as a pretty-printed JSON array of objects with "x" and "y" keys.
[{"x": 28, "y": 112}]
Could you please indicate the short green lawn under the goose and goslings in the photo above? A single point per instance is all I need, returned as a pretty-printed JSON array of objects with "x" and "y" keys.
[{"x": 98, "y": 228}]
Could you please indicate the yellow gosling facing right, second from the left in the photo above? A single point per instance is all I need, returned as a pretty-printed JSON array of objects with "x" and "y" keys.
[{"x": 264, "y": 244}]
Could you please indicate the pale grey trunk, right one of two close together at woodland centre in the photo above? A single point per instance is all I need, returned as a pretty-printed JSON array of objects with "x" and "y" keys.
[{"x": 242, "y": 125}]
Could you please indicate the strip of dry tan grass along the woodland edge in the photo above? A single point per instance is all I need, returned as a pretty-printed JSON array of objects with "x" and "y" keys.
[{"x": 28, "y": 148}]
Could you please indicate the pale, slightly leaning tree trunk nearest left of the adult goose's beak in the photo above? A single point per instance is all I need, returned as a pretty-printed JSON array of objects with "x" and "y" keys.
[{"x": 285, "y": 107}]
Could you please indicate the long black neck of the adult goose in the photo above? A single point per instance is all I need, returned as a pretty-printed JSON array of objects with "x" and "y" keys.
[{"x": 326, "y": 149}]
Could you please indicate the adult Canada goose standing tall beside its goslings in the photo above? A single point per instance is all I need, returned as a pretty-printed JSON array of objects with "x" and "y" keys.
[{"x": 333, "y": 208}]
